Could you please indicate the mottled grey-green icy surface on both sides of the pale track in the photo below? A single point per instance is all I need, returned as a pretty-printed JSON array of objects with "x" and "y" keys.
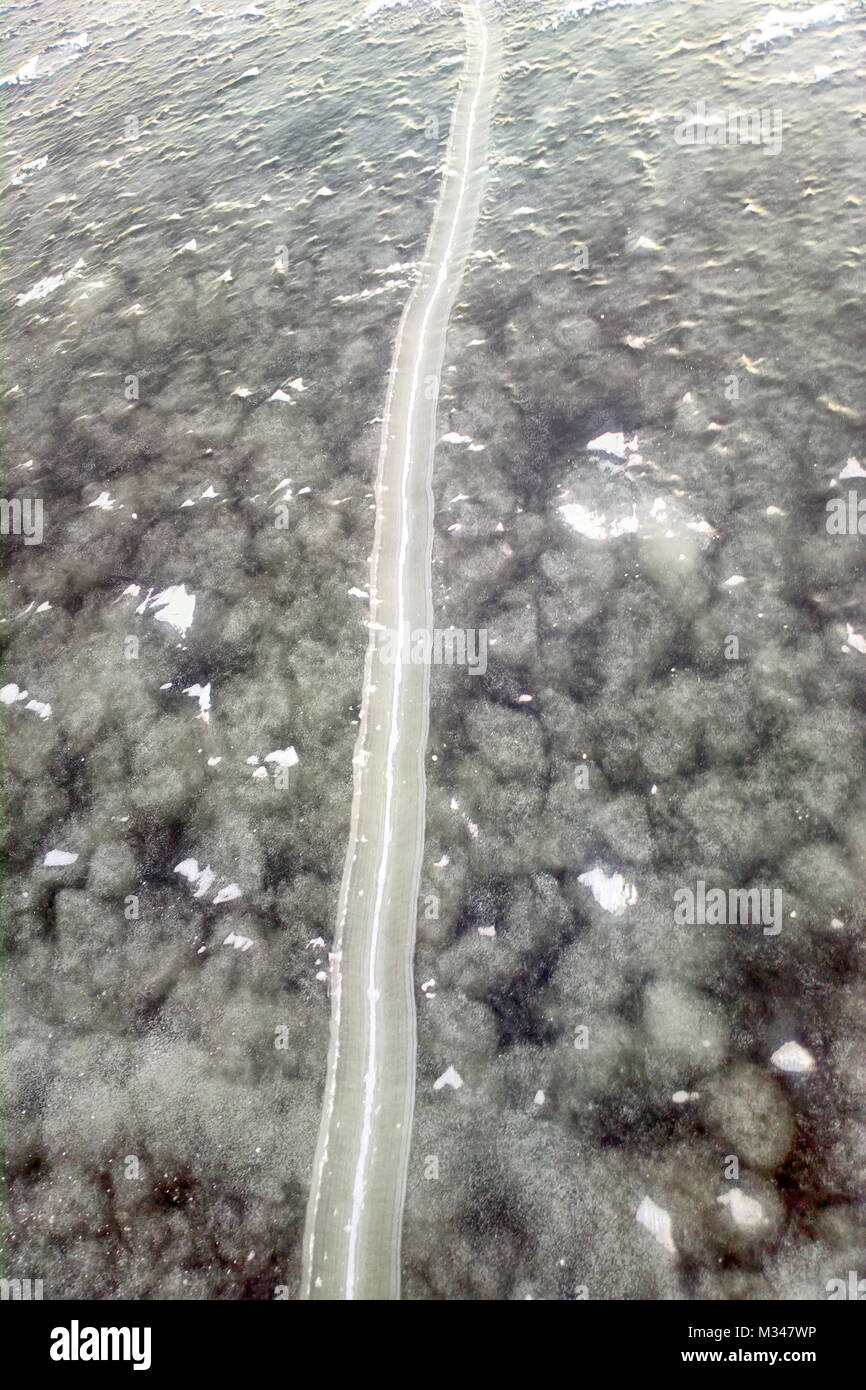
[{"x": 653, "y": 389}]
